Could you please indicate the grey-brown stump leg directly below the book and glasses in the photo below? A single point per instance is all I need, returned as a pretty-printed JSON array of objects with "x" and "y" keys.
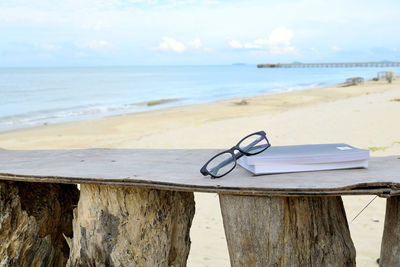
[{"x": 286, "y": 231}]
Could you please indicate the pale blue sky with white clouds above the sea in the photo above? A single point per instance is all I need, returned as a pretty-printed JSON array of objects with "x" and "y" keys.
[{"x": 49, "y": 33}]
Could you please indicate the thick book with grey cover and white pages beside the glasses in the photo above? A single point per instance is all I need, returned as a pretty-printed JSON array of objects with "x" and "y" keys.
[{"x": 282, "y": 159}]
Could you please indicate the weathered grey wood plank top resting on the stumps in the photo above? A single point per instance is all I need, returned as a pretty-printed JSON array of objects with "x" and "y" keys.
[{"x": 179, "y": 170}]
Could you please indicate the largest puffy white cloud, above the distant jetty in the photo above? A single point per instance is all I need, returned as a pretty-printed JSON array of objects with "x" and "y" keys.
[{"x": 278, "y": 42}]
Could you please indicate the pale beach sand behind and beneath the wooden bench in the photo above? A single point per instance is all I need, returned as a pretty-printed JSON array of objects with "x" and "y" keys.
[{"x": 365, "y": 116}]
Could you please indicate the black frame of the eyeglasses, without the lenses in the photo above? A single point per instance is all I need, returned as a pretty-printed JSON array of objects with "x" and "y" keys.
[{"x": 235, "y": 156}]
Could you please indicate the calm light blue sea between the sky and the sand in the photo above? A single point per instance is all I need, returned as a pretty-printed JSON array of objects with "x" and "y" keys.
[{"x": 41, "y": 96}]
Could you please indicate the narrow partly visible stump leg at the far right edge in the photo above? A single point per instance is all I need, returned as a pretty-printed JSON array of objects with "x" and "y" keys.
[{"x": 390, "y": 248}]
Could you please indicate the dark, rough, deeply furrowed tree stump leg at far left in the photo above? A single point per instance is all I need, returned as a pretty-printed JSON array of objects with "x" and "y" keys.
[{"x": 33, "y": 219}]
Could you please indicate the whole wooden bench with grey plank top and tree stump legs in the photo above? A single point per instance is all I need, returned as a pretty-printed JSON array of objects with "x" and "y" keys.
[{"x": 136, "y": 206}]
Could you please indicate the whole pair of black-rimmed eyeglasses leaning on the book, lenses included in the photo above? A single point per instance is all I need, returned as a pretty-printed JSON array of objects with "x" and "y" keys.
[{"x": 224, "y": 162}]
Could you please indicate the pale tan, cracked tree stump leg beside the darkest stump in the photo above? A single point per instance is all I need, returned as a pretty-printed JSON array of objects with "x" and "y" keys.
[{"x": 129, "y": 226}]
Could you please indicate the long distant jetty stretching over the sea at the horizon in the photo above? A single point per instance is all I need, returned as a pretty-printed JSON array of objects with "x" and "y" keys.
[{"x": 331, "y": 65}]
